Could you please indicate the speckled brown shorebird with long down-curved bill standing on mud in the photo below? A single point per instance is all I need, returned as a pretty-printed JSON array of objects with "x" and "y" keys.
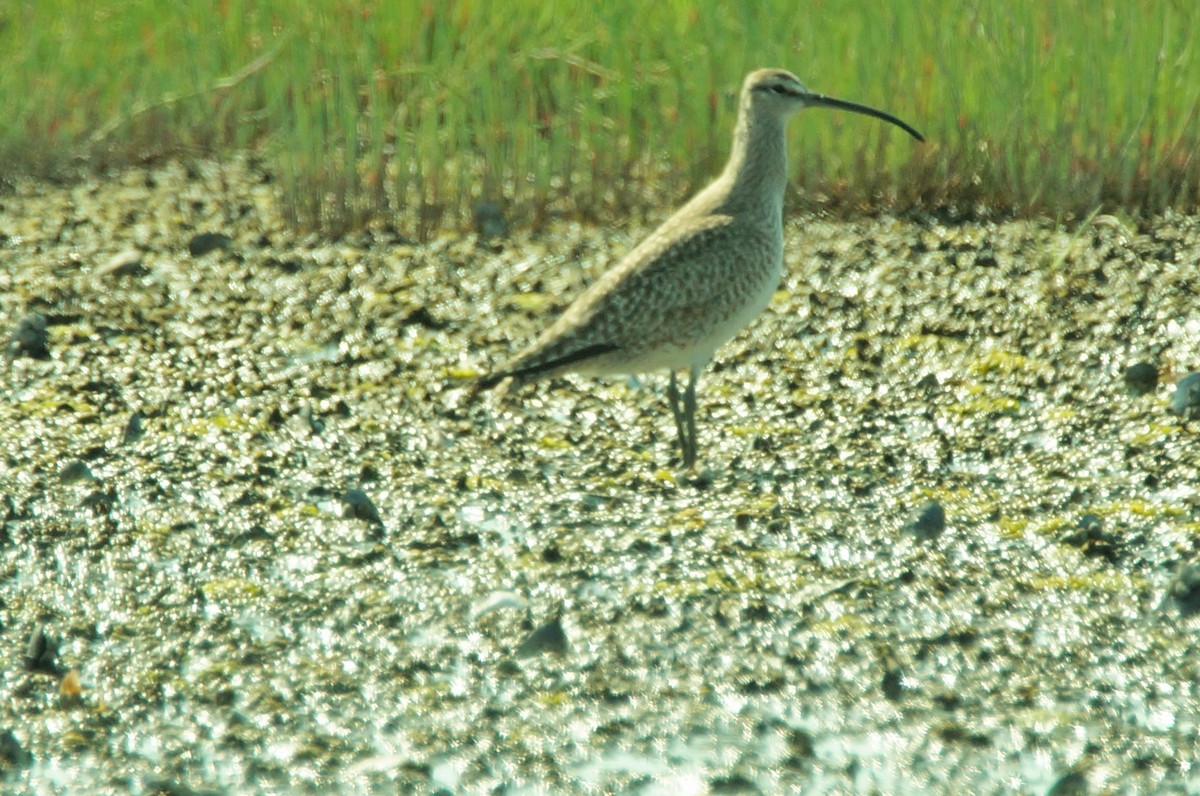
[{"x": 697, "y": 280}]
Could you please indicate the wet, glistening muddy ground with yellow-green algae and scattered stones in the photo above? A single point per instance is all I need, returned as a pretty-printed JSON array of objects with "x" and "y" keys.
[{"x": 256, "y": 537}]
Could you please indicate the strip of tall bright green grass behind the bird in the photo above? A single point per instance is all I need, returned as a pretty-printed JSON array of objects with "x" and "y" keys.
[{"x": 416, "y": 110}]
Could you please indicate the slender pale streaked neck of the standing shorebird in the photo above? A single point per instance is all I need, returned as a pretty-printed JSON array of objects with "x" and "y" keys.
[{"x": 758, "y": 170}]
